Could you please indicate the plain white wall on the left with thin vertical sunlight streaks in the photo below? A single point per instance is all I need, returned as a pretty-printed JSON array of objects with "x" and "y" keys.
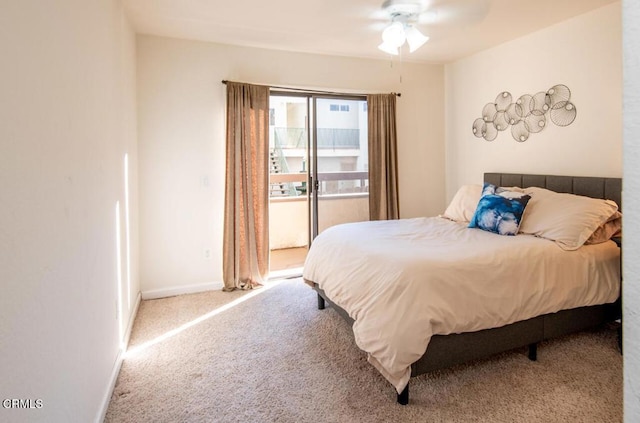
[{"x": 67, "y": 118}]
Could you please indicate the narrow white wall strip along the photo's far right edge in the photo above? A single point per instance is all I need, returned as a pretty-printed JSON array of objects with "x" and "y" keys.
[{"x": 631, "y": 241}]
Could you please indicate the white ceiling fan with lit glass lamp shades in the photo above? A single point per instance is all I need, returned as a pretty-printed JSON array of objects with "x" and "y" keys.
[{"x": 405, "y": 14}]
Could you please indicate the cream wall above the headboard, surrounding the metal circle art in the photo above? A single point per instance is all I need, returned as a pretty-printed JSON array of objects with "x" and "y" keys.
[{"x": 585, "y": 54}]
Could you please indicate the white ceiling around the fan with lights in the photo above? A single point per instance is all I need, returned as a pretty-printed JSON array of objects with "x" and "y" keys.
[{"x": 457, "y": 28}]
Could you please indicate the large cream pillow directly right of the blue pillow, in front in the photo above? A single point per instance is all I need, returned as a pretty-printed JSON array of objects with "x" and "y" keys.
[{"x": 567, "y": 219}]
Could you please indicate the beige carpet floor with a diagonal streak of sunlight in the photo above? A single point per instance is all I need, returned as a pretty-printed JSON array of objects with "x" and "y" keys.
[{"x": 273, "y": 357}]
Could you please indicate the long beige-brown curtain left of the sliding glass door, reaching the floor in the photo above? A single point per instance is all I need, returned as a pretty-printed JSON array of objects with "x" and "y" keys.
[{"x": 246, "y": 214}]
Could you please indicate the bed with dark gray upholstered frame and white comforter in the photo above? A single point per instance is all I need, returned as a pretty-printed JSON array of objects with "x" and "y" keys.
[{"x": 445, "y": 294}]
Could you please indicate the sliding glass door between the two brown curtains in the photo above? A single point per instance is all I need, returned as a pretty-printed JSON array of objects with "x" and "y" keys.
[{"x": 318, "y": 170}]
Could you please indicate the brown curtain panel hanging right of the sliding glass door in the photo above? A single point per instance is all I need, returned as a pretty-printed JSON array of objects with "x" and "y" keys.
[{"x": 383, "y": 158}]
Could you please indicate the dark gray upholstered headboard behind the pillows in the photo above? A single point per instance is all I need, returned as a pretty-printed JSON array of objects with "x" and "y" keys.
[{"x": 589, "y": 186}]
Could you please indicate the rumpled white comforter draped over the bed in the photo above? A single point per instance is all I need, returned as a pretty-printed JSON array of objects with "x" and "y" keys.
[{"x": 403, "y": 281}]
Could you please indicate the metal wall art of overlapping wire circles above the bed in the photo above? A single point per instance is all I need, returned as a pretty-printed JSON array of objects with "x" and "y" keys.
[{"x": 528, "y": 115}]
